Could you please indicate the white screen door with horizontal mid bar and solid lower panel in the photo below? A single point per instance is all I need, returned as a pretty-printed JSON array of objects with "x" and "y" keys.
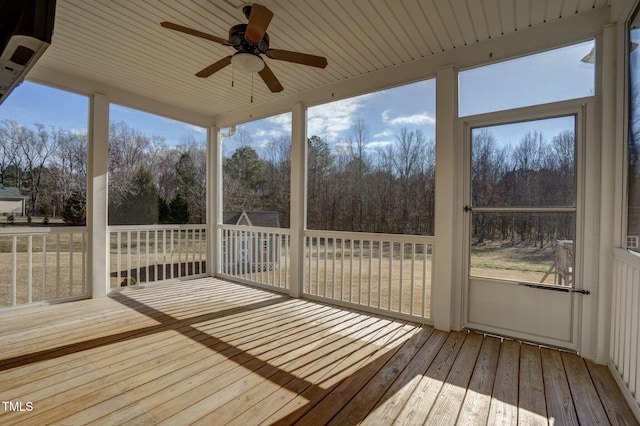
[{"x": 521, "y": 215}]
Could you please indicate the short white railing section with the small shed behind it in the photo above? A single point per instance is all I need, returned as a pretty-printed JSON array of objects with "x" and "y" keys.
[{"x": 255, "y": 255}]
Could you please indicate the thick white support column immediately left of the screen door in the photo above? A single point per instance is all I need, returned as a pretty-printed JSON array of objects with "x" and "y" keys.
[{"x": 445, "y": 305}]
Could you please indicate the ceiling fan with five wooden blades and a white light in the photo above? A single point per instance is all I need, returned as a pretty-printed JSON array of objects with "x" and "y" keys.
[{"x": 251, "y": 40}]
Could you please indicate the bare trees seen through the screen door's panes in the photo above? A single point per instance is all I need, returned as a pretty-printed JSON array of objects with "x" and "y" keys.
[{"x": 532, "y": 172}]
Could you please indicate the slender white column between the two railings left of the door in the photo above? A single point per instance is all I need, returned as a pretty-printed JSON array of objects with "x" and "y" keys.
[{"x": 298, "y": 213}]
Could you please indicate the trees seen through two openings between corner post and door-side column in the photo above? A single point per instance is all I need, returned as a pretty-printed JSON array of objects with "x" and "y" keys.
[{"x": 353, "y": 184}]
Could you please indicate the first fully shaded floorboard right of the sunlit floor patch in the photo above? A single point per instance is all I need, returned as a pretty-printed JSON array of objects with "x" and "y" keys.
[{"x": 556, "y": 388}]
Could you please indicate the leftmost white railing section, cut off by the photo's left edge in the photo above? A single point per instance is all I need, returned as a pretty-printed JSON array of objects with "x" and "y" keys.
[{"x": 42, "y": 264}]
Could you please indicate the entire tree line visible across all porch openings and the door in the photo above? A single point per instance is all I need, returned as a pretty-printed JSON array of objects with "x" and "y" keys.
[{"x": 353, "y": 184}]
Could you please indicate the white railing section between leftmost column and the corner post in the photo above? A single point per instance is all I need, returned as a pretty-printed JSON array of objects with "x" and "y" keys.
[{"x": 152, "y": 253}]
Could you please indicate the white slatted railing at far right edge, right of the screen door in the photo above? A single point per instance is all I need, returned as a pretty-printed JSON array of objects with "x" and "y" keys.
[{"x": 624, "y": 354}]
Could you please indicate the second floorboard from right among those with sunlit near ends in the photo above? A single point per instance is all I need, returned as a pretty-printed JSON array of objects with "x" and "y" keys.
[{"x": 504, "y": 399}]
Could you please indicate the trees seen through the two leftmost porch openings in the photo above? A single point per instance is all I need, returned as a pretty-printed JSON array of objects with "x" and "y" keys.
[{"x": 149, "y": 181}]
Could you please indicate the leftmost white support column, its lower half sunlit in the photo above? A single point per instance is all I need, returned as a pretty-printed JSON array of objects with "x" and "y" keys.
[{"x": 97, "y": 194}]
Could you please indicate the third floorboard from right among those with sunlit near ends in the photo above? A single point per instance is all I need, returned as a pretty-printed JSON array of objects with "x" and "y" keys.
[{"x": 475, "y": 408}]
